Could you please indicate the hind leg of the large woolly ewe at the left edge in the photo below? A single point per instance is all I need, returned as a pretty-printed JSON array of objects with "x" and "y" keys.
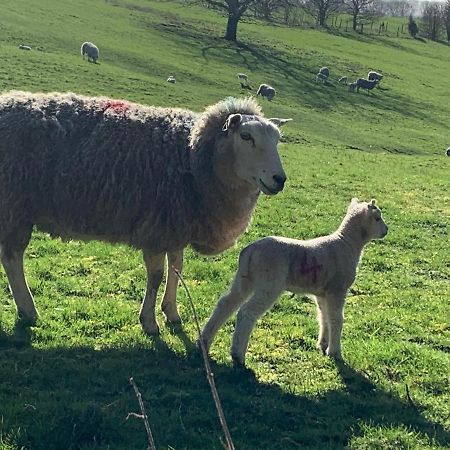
[{"x": 12, "y": 253}]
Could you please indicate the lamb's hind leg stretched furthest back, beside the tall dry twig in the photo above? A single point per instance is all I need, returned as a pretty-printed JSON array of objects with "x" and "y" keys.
[{"x": 228, "y": 303}]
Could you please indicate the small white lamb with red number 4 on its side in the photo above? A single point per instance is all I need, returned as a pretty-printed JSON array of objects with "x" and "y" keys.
[{"x": 323, "y": 267}]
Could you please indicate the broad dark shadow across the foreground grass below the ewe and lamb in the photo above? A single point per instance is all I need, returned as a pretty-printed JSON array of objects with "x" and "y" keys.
[{"x": 79, "y": 398}]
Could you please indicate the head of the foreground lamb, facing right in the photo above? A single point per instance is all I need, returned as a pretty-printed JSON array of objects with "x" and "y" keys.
[{"x": 368, "y": 218}]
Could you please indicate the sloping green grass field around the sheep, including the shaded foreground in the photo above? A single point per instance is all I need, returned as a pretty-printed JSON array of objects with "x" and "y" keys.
[{"x": 64, "y": 383}]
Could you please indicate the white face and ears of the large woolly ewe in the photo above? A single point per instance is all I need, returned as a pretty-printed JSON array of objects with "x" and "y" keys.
[{"x": 254, "y": 140}]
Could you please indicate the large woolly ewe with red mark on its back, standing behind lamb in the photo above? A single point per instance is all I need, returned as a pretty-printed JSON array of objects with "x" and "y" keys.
[{"x": 157, "y": 179}]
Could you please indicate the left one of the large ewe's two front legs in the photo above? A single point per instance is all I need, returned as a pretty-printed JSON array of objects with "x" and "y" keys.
[{"x": 155, "y": 269}]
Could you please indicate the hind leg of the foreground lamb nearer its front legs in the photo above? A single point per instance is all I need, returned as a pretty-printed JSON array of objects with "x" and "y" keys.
[{"x": 260, "y": 302}]
